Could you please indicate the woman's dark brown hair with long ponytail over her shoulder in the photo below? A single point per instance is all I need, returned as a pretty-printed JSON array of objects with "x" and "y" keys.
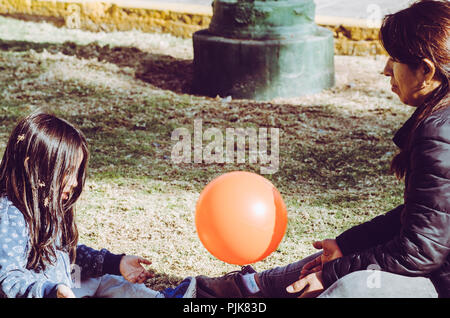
[{"x": 409, "y": 36}]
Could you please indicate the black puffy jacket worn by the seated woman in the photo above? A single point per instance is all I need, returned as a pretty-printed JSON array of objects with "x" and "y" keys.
[{"x": 414, "y": 238}]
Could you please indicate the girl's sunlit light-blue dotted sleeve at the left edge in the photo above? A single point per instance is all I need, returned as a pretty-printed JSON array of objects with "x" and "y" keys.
[{"x": 15, "y": 280}]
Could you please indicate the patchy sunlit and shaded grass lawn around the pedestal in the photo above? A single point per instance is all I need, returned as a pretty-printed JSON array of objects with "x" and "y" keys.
[{"x": 128, "y": 91}]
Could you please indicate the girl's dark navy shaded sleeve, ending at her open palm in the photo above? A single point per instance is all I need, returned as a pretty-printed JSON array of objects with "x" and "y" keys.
[{"x": 94, "y": 263}]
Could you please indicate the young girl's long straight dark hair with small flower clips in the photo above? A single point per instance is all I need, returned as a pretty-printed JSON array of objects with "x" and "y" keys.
[{"x": 42, "y": 152}]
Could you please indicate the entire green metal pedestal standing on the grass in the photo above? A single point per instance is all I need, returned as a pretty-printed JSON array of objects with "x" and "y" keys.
[{"x": 262, "y": 50}]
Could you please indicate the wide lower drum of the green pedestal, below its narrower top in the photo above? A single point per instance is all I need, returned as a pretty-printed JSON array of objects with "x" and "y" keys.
[{"x": 263, "y": 69}]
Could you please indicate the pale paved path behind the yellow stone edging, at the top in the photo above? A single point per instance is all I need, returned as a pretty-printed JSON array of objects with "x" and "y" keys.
[{"x": 356, "y": 9}]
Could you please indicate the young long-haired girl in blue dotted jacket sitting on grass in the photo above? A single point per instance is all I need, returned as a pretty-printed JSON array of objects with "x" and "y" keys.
[{"x": 42, "y": 175}]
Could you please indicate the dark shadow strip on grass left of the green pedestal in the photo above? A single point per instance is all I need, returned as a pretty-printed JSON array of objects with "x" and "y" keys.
[{"x": 162, "y": 71}]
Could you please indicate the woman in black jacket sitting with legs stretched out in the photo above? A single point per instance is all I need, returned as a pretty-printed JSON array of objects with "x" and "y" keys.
[{"x": 406, "y": 252}]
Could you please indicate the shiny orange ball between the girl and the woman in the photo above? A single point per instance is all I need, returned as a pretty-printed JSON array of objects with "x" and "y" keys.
[{"x": 240, "y": 217}]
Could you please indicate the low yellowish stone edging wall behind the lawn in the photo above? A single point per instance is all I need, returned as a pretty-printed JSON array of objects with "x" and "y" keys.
[{"x": 180, "y": 20}]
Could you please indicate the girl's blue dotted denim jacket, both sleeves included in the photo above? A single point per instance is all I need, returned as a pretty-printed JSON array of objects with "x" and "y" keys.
[{"x": 18, "y": 281}]
